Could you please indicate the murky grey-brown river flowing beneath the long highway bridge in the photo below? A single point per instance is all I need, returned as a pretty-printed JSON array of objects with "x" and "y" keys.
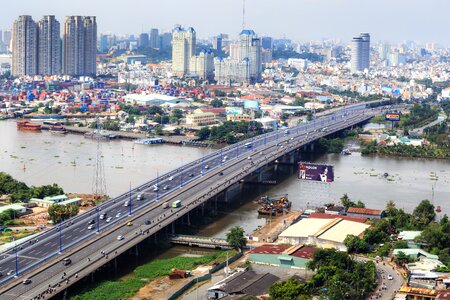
[{"x": 69, "y": 160}]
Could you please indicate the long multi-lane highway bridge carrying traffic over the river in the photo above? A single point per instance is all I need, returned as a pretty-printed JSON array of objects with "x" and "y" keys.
[{"x": 94, "y": 238}]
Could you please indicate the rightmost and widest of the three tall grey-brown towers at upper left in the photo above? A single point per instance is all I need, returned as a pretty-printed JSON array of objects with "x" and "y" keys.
[{"x": 80, "y": 46}]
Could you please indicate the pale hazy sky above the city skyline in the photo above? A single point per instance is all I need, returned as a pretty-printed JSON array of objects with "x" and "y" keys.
[{"x": 385, "y": 20}]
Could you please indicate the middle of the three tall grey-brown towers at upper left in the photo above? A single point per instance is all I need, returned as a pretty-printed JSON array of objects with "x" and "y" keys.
[{"x": 49, "y": 46}]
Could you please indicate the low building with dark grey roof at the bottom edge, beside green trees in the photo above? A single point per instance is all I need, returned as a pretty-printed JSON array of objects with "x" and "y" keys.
[{"x": 241, "y": 284}]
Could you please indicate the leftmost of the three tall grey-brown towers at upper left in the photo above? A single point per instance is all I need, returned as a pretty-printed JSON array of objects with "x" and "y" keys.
[{"x": 24, "y": 47}]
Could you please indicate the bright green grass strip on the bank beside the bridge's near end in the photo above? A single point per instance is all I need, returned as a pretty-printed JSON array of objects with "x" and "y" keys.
[{"x": 111, "y": 290}]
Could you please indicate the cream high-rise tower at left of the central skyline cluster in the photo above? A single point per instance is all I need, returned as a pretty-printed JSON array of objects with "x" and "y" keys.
[{"x": 183, "y": 48}]
